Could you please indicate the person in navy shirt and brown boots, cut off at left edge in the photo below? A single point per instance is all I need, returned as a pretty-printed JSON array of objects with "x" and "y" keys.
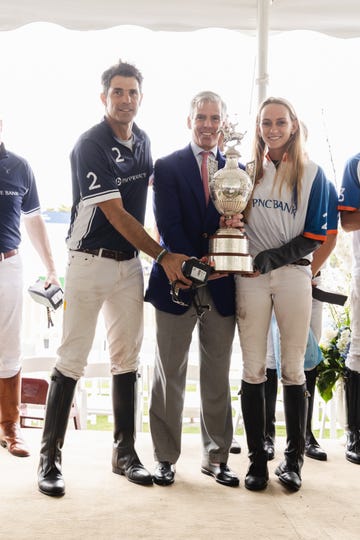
[{"x": 18, "y": 198}]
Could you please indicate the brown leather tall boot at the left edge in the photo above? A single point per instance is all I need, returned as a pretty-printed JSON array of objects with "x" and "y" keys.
[{"x": 10, "y": 432}]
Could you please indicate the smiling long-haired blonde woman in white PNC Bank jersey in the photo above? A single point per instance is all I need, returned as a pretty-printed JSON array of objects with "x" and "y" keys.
[{"x": 285, "y": 223}]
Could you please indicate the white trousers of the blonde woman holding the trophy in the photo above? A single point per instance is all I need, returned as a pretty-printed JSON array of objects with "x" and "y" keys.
[{"x": 287, "y": 290}]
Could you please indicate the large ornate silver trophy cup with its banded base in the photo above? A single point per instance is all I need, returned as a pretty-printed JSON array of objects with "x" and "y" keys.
[{"x": 230, "y": 191}]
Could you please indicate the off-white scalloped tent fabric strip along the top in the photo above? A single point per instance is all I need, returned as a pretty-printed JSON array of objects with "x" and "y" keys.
[{"x": 333, "y": 17}]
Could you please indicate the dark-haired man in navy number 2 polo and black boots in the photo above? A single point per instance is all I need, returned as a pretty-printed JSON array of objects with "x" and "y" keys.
[{"x": 111, "y": 165}]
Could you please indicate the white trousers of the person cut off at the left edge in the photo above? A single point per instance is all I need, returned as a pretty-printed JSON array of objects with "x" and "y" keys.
[{"x": 11, "y": 305}]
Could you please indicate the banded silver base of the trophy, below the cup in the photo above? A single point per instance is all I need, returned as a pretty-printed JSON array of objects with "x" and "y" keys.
[{"x": 229, "y": 252}]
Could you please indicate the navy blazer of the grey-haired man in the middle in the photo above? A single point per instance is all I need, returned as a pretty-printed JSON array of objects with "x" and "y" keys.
[{"x": 185, "y": 223}]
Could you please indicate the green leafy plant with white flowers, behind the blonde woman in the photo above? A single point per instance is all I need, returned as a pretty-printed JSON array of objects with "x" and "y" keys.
[{"x": 334, "y": 348}]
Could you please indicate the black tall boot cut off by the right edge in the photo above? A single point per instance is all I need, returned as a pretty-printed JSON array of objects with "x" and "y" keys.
[{"x": 352, "y": 398}]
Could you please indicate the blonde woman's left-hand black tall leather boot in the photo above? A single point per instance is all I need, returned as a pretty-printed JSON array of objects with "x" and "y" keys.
[{"x": 253, "y": 410}]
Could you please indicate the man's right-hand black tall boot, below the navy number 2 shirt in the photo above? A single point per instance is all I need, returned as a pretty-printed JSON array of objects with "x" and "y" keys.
[{"x": 125, "y": 460}]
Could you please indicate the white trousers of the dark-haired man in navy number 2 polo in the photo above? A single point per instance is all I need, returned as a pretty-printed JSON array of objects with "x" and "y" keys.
[{"x": 116, "y": 288}]
